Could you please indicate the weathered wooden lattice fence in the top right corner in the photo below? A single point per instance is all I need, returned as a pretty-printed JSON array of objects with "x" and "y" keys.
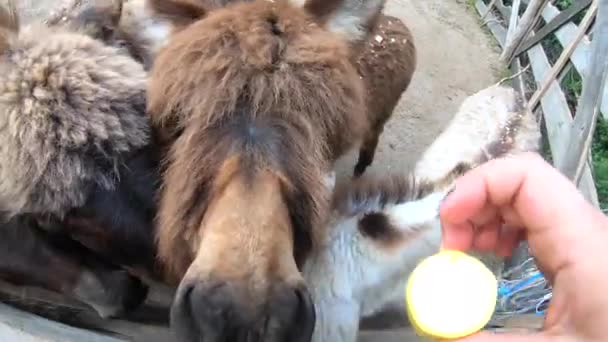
[{"x": 569, "y": 134}]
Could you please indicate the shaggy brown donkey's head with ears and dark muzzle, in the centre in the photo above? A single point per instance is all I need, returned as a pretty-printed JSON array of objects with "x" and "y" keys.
[{"x": 261, "y": 98}]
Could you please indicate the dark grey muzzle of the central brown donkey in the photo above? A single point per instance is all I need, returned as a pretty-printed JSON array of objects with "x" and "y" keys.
[{"x": 219, "y": 312}]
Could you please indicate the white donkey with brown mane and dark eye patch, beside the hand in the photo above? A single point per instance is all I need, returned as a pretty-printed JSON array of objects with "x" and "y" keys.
[{"x": 382, "y": 228}]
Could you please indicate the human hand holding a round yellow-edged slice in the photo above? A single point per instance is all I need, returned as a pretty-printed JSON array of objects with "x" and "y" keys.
[{"x": 496, "y": 204}]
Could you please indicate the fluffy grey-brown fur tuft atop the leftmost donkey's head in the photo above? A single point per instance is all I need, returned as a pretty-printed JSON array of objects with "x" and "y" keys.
[{"x": 72, "y": 108}]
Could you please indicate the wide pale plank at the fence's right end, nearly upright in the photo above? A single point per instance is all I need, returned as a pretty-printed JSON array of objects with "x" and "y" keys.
[{"x": 581, "y": 133}]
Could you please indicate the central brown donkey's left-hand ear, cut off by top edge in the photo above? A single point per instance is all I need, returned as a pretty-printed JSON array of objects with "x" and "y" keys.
[{"x": 179, "y": 12}]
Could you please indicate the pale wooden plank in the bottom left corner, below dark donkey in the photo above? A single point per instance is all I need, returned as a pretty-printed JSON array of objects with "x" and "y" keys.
[{"x": 17, "y": 325}]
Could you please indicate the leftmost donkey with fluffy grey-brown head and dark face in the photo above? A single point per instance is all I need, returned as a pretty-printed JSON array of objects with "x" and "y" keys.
[{"x": 76, "y": 159}]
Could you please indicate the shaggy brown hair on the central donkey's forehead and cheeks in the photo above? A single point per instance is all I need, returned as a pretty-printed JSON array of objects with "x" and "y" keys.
[{"x": 263, "y": 86}]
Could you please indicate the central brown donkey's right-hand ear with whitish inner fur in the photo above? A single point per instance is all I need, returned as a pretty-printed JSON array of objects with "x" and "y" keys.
[{"x": 353, "y": 19}]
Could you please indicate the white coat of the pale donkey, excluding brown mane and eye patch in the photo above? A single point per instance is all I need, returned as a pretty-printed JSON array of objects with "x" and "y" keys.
[{"x": 353, "y": 276}]
